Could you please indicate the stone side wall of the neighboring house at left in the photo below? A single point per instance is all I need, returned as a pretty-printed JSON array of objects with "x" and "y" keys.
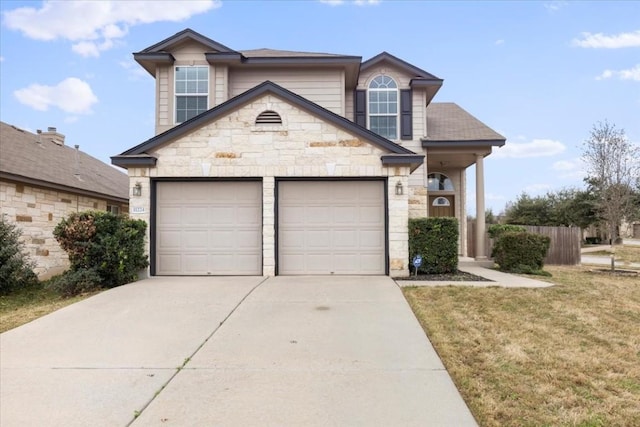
[{"x": 36, "y": 211}]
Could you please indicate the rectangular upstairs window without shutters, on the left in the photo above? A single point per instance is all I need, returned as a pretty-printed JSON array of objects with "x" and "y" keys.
[{"x": 192, "y": 90}]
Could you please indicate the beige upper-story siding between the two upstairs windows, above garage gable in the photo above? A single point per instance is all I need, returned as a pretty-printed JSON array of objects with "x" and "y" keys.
[{"x": 324, "y": 87}]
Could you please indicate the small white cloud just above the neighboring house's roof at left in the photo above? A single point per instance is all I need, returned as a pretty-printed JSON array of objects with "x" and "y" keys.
[{"x": 71, "y": 95}]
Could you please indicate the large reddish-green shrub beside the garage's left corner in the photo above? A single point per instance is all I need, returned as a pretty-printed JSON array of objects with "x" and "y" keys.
[{"x": 111, "y": 245}]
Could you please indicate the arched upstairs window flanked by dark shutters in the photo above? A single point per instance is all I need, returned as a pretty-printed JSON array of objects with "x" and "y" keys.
[{"x": 383, "y": 107}]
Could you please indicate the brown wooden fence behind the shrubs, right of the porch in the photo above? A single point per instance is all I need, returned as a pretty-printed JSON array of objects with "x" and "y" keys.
[{"x": 564, "y": 249}]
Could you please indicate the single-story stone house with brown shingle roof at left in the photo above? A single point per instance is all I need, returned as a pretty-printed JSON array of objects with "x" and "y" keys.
[{"x": 42, "y": 181}]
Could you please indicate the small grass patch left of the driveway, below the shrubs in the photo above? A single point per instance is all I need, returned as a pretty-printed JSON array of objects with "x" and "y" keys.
[{"x": 26, "y": 305}]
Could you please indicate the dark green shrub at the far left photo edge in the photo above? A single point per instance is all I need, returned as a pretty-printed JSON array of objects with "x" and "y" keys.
[{"x": 16, "y": 269}]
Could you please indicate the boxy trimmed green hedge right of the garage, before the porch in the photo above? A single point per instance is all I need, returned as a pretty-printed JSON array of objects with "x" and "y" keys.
[{"x": 436, "y": 239}]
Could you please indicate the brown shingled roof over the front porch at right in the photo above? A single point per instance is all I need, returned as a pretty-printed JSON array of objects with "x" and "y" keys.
[{"x": 448, "y": 122}]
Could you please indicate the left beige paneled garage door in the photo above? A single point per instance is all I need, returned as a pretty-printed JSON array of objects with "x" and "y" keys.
[{"x": 209, "y": 228}]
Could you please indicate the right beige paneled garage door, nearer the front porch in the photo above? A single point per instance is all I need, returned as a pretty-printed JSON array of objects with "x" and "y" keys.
[{"x": 331, "y": 227}]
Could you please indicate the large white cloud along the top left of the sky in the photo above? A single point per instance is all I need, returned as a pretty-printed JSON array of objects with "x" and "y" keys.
[{"x": 94, "y": 26}]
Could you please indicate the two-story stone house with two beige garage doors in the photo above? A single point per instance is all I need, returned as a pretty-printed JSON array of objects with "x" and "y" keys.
[{"x": 276, "y": 162}]
